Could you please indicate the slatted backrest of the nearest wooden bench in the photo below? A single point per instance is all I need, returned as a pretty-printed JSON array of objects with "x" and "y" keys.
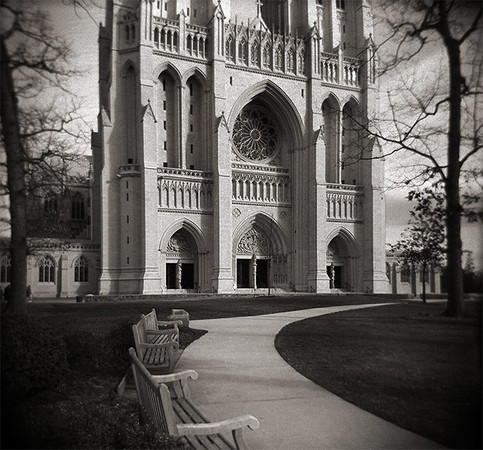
[{"x": 154, "y": 398}]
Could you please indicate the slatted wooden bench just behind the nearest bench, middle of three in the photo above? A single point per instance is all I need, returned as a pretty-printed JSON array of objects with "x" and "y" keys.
[{"x": 155, "y": 348}]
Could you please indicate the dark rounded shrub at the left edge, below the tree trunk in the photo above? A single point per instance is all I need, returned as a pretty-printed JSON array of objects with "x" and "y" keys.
[{"x": 33, "y": 356}]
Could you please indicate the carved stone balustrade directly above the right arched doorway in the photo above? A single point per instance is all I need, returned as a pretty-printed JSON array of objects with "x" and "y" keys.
[{"x": 344, "y": 202}]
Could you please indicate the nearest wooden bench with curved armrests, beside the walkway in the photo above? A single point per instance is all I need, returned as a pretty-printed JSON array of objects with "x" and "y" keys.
[{"x": 170, "y": 410}]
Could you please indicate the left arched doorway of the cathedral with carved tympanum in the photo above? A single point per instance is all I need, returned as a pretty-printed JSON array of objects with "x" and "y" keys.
[{"x": 181, "y": 261}]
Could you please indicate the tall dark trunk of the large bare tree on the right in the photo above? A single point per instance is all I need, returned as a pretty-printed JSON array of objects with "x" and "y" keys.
[{"x": 453, "y": 213}]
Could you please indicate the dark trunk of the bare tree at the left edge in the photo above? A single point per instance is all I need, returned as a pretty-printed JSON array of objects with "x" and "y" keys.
[{"x": 15, "y": 184}]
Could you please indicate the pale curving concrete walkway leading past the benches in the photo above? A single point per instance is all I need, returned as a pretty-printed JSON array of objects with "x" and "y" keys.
[{"x": 241, "y": 372}]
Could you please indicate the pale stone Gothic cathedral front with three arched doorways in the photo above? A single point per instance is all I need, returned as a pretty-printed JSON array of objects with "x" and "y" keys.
[{"x": 230, "y": 155}]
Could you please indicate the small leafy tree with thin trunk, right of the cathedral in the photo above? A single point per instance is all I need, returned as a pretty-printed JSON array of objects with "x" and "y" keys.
[{"x": 423, "y": 242}]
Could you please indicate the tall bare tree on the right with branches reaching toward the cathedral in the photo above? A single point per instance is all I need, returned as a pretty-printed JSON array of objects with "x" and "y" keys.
[{"x": 434, "y": 112}]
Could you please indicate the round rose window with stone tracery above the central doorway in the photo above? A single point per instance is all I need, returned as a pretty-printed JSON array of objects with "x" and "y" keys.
[{"x": 254, "y": 135}]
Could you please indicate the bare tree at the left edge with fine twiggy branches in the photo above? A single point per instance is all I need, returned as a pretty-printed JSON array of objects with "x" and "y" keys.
[{"x": 39, "y": 116}]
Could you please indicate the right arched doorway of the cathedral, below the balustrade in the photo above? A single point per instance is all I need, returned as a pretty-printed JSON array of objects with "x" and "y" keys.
[{"x": 341, "y": 268}]
